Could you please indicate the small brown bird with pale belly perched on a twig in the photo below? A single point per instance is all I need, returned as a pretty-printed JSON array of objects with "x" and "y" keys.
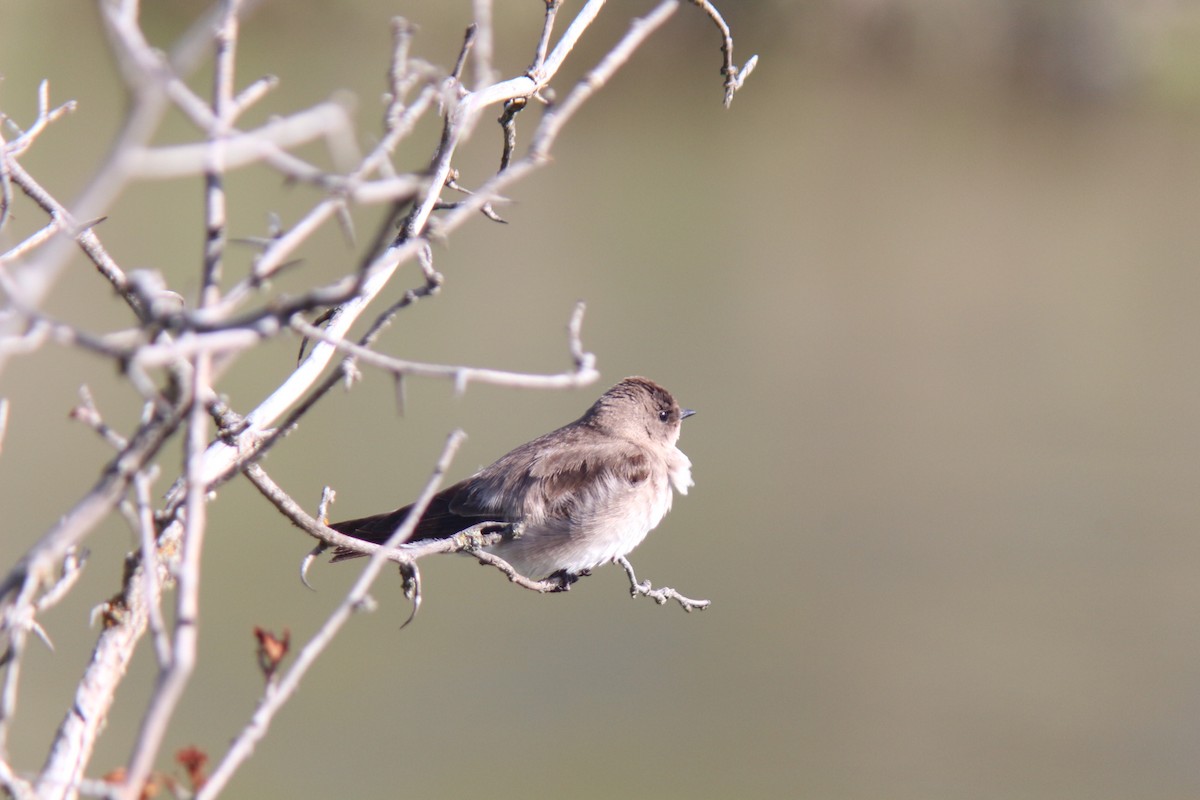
[{"x": 586, "y": 495}]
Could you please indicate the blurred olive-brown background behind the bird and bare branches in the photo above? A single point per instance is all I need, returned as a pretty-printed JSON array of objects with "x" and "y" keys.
[{"x": 933, "y": 285}]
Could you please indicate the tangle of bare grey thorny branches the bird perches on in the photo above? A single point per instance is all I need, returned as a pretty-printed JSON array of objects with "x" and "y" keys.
[{"x": 173, "y": 353}]
